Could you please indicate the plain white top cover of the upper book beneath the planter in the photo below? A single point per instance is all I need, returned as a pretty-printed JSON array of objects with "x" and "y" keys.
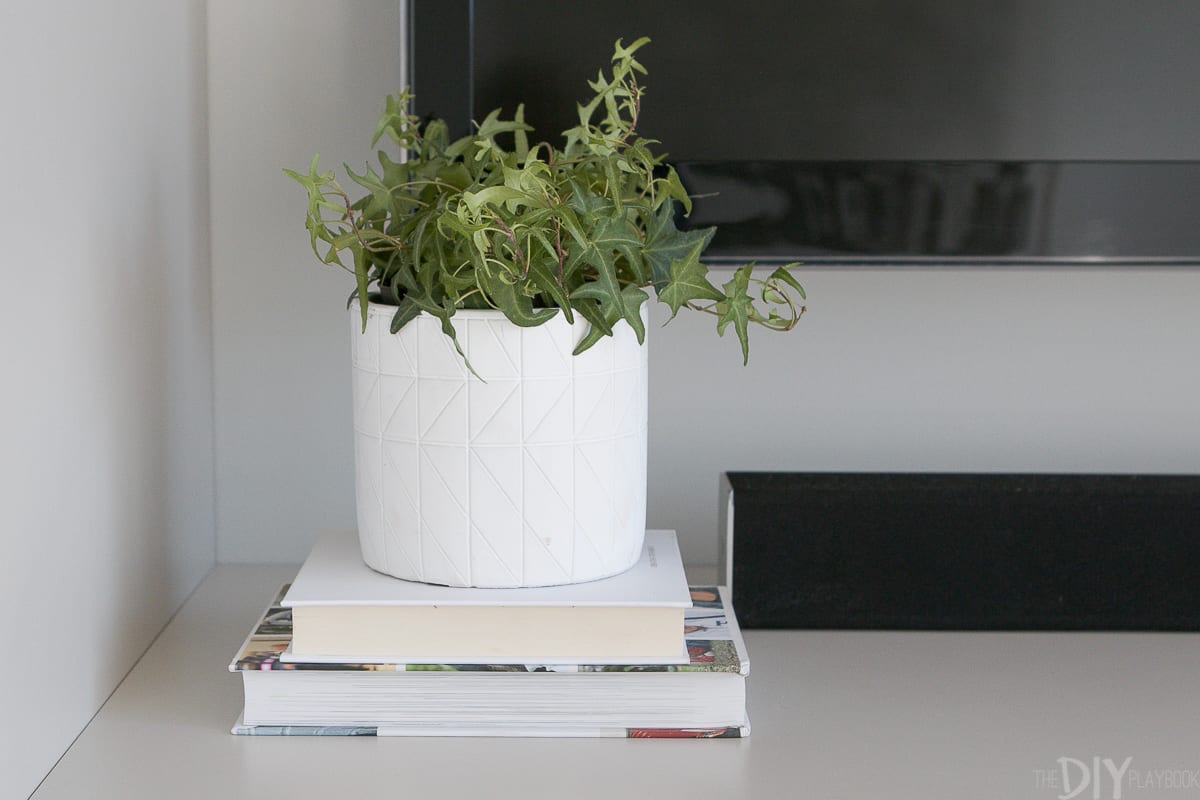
[{"x": 334, "y": 575}]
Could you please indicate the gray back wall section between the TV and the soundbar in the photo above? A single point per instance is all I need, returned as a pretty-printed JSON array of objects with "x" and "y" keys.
[{"x": 991, "y": 370}]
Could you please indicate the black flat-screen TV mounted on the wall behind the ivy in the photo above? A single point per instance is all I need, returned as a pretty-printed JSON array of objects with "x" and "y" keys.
[{"x": 871, "y": 131}]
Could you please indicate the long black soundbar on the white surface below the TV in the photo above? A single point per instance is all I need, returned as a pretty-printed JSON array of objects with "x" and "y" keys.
[{"x": 914, "y": 551}]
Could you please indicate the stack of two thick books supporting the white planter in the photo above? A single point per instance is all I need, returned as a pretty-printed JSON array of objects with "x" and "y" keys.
[{"x": 345, "y": 651}]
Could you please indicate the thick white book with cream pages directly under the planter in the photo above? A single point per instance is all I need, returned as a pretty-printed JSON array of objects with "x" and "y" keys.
[{"x": 344, "y": 611}]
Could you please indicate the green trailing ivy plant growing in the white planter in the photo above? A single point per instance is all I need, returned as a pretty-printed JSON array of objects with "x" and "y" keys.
[{"x": 499, "y": 220}]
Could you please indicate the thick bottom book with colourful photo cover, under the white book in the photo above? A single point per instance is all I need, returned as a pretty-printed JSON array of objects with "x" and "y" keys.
[{"x": 703, "y": 699}]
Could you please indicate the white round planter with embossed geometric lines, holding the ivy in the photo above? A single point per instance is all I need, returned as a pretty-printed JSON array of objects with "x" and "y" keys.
[{"x": 535, "y": 476}]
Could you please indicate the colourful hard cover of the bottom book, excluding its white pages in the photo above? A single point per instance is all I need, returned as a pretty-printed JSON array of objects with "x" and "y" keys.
[{"x": 713, "y": 640}]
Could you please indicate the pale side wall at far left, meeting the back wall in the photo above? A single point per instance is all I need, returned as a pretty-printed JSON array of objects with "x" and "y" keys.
[{"x": 106, "y": 416}]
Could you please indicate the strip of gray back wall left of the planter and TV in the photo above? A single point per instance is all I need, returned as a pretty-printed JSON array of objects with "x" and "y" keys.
[{"x": 287, "y": 79}]
